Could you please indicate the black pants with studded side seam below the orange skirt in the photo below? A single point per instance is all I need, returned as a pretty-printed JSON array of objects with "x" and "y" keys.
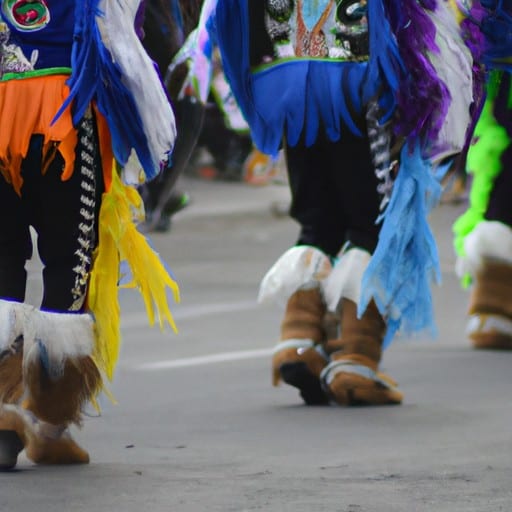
[{"x": 63, "y": 213}]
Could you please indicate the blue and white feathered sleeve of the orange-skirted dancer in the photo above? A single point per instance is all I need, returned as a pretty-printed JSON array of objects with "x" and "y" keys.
[{"x": 111, "y": 68}]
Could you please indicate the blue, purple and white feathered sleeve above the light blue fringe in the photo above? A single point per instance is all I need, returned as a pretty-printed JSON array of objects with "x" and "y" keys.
[{"x": 433, "y": 86}]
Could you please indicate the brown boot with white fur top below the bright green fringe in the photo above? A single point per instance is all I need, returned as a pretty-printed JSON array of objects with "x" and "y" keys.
[{"x": 488, "y": 261}]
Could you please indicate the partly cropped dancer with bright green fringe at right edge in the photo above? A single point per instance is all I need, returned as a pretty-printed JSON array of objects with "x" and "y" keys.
[{"x": 484, "y": 232}]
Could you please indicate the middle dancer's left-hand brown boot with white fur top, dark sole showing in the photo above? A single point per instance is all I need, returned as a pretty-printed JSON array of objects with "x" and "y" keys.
[{"x": 298, "y": 357}]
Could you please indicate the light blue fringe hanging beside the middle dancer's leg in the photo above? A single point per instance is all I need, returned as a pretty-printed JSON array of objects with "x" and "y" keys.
[{"x": 406, "y": 263}]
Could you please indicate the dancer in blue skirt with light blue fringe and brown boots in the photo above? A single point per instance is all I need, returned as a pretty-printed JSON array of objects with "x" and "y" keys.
[{"x": 370, "y": 98}]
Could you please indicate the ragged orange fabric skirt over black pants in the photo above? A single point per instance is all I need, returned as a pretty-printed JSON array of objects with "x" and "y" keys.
[{"x": 28, "y": 107}]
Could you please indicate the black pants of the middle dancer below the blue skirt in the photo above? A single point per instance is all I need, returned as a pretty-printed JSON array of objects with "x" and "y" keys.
[{"x": 334, "y": 193}]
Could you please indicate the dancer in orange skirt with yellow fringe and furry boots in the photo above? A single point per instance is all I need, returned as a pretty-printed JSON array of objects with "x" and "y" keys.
[{"x": 82, "y": 111}]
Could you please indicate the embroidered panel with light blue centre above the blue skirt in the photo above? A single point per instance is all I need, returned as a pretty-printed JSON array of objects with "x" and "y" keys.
[{"x": 336, "y": 29}]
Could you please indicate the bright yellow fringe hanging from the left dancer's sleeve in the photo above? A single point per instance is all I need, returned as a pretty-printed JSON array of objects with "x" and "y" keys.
[{"x": 119, "y": 241}]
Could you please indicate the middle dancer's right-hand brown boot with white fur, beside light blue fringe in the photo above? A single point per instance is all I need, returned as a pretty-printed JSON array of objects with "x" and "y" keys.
[{"x": 352, "y": 376}]
